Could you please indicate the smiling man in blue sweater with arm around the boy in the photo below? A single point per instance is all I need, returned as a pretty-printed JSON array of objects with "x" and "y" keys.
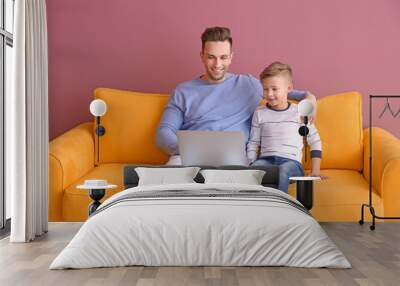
[{"x": 217, "y": 100}]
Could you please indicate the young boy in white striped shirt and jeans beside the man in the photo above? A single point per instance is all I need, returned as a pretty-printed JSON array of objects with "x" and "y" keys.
[{"x": 275, "y": 128}]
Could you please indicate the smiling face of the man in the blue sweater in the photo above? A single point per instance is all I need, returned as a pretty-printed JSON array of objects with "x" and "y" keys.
[{"x": 216, "y": 57}]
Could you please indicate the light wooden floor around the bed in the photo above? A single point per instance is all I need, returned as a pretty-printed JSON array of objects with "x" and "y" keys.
[{"x": 374, "y": 255}]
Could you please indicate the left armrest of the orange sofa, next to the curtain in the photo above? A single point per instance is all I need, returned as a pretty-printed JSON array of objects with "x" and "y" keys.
[{"x": 71, "y": 155}]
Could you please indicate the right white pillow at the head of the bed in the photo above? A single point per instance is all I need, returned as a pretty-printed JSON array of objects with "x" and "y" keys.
[{"x": 248, "y": 177}]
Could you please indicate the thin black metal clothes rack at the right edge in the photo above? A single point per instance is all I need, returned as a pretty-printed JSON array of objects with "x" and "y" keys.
[{"x": 369, "y": 205}]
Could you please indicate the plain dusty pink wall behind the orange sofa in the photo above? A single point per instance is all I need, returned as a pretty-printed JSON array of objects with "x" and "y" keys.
[{"x": 150, "y": 46}]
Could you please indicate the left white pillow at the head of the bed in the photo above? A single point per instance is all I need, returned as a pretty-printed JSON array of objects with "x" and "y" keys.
[{"x": 162, "y": 176}]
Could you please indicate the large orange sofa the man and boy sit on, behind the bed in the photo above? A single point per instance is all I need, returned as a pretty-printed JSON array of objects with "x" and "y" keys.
[{"x": 131, "y": 121}]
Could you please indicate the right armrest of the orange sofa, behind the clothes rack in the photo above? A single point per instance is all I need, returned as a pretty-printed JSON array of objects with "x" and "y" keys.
[{"x": 385, "y": 168}]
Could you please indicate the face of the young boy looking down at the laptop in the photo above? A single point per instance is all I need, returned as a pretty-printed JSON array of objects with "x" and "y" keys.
[{"x": 276, "y": 89}]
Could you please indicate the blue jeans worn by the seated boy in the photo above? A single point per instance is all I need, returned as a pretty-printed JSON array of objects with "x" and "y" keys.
[{"x": 287, "y": 168}]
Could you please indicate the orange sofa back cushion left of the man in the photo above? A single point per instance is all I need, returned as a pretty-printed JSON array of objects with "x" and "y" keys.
[{"x": 131, "y": 122}]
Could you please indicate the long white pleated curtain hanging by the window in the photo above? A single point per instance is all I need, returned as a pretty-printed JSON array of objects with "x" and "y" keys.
[{"x": 27, "y": 124}]
